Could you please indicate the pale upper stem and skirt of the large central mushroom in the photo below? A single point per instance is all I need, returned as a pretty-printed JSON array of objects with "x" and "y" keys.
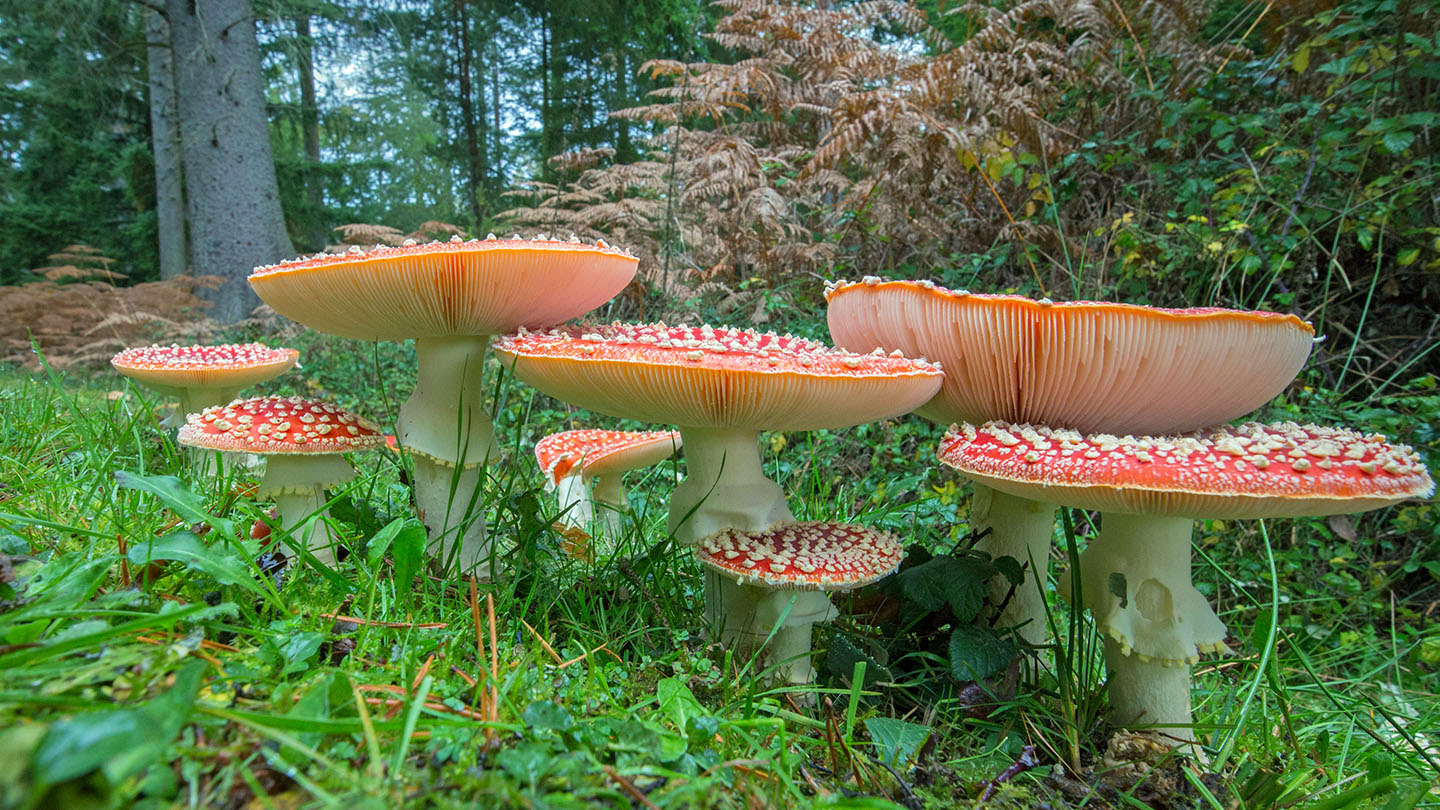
[{"x": 725, "y": 486}]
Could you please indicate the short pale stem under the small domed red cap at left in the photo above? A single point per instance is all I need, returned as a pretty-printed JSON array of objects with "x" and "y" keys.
[{"x": 299, "y": 486}]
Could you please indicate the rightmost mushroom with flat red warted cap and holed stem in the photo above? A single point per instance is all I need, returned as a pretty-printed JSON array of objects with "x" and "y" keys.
[{"x": 1135, "y": 577}]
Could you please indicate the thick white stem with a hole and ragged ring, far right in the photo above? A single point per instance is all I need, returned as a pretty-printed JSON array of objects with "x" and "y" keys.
[{"x": 1161, "y": 623}]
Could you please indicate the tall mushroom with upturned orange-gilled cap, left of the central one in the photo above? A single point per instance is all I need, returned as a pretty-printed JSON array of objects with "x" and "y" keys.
[{"x": 450, "y": 298}]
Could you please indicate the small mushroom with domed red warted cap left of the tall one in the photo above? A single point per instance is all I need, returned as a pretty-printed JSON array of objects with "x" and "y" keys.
[{"x": 303, "y": 442}]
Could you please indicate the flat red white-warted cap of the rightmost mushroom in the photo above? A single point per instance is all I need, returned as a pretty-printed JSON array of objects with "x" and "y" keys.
[{"x": 1252, "y": 471}]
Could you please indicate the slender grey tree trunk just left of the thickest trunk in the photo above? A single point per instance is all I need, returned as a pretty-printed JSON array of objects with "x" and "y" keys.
[{"x": 165, "y": 135}]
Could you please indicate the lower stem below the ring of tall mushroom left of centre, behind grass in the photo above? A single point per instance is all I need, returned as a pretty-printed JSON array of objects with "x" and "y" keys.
[{"x": 450, "y": 505}]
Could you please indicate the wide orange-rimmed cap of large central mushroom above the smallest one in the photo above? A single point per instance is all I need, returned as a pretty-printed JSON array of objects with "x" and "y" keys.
[{"x": 716, "y": 378}]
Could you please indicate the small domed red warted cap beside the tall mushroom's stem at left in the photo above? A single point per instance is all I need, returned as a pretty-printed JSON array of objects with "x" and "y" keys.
[{"x": 280, "y": 426}]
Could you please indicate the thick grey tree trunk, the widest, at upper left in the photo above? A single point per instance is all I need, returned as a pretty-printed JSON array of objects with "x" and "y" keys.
[{"x": 230, "y": 172}]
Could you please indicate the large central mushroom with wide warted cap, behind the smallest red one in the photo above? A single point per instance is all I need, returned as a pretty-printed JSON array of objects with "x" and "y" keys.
[{"x": 721, "y": 387}]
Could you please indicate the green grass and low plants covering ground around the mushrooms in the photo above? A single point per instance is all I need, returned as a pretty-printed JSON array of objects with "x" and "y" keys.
[{"x": 210, "y": 682}]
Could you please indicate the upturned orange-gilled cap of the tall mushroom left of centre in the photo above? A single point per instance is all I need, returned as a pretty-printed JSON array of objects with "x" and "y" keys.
[{"x": 446, "y": 289}]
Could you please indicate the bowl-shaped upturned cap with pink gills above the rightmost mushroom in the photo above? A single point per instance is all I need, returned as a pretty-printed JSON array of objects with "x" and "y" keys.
[{"x": 1084, "y": 365}]
